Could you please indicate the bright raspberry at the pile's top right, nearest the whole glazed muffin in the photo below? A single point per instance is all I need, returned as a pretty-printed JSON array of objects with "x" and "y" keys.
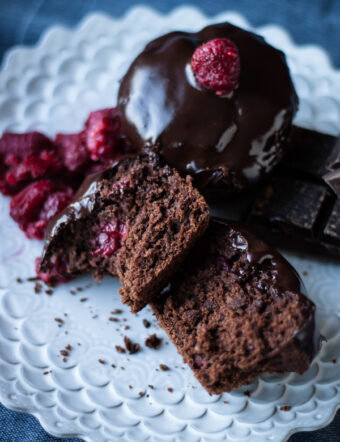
[{"x": 103, "y": 137}]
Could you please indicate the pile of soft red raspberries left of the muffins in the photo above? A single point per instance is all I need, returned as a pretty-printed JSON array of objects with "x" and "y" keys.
[{"x": 42, "y": 174}]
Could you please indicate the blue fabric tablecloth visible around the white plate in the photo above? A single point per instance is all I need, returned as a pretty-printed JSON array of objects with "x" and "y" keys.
[{"x": 23, "y": 21}]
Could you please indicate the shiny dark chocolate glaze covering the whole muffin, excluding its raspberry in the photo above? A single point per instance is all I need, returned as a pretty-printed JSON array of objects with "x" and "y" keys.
[{"x": 224, "y": 142}]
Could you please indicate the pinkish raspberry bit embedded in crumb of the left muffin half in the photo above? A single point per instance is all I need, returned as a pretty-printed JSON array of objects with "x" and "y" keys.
[{"x": 109, "y": 238}]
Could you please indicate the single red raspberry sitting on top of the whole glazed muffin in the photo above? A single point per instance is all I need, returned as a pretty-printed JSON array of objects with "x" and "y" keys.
[{"x": 216, "y": 65}]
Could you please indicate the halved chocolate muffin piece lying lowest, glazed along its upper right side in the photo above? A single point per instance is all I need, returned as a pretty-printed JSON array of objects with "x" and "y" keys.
[{"x": 237, "y": 309}]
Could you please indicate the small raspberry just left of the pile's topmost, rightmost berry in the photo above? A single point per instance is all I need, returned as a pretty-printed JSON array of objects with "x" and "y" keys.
[{"x": 73, "y": 152}]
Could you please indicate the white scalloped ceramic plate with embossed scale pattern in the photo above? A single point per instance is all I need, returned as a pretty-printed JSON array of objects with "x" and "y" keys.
[{"x": 52, "y": 87}]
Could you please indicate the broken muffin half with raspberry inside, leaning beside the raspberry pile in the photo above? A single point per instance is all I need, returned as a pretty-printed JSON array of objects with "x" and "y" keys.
[{"x": 136, "y": 220}]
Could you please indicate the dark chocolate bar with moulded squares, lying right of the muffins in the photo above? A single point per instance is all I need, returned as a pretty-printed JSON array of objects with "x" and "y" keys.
[{"x": 296, "y": 209}]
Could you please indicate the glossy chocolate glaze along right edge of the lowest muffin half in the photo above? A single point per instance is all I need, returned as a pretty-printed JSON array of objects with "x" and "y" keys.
[{"x": 285, "y": 277}]
